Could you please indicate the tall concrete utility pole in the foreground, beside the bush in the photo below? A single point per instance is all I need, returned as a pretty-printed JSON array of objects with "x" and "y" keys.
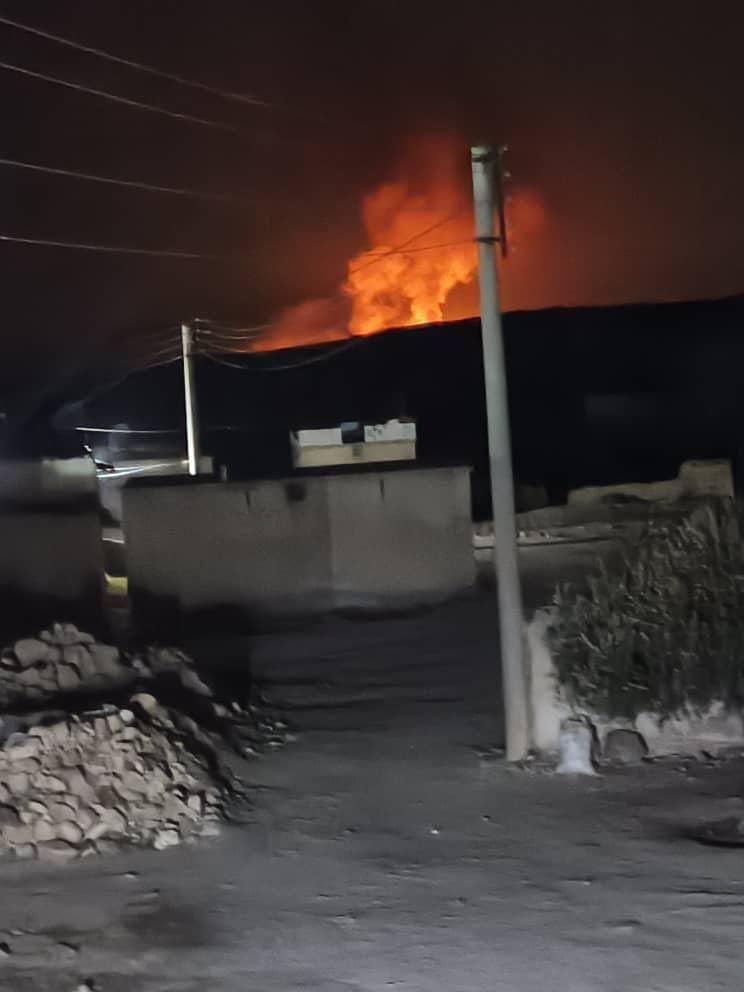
[{"x": 499, "y": 450}]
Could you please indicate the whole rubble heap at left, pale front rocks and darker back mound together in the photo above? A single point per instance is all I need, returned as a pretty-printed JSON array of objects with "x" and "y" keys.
[{"x": 80, "y": 776}]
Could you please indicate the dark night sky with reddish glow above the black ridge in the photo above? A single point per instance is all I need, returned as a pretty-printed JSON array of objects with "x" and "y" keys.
[{"x": 624, "y": 120}]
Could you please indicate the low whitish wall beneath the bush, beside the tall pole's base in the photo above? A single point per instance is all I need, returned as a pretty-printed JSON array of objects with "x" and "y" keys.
[{"x": 714, "y": 730}]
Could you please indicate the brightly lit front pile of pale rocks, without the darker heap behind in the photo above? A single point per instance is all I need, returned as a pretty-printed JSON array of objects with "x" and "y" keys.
[{"x": 86, "y": 784}]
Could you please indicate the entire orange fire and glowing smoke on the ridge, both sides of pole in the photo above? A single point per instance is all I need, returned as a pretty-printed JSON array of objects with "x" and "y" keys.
[{"x": 420, "y": 263}]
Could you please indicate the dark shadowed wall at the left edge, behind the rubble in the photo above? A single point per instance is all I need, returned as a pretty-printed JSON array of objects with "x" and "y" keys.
[{"x": 51, "y": 552}]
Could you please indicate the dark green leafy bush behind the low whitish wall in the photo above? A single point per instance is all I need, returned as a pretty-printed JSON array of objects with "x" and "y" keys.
[{"x": 664, "y": 630}]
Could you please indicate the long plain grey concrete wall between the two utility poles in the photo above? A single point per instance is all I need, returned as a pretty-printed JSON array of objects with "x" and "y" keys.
[{"x": 381, "y": 539}]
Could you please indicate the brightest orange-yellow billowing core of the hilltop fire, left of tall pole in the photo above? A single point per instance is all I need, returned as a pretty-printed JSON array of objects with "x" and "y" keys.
[{"x": 421, "y": 250}]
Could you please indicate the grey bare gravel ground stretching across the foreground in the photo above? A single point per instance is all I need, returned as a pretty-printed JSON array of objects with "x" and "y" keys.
[{"x": 390, "y": 848}]
